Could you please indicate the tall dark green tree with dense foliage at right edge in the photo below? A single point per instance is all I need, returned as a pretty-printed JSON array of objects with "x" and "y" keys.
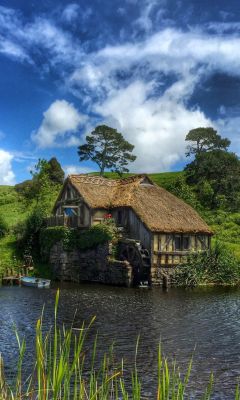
[{"x": 215, "y": 172}]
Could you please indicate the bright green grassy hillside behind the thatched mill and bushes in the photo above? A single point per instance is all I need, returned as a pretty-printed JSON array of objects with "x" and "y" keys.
[{"x": 14, "y": 210}]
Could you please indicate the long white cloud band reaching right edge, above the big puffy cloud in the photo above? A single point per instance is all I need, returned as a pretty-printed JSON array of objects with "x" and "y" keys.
[{"x": 168, "y": 51}]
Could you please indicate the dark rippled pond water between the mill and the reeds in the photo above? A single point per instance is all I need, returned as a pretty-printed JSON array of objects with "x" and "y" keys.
[{"x": 201, "y": 322}]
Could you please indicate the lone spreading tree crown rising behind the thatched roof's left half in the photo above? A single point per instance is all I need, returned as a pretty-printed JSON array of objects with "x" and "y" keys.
[{"x": 108, "y": 149}]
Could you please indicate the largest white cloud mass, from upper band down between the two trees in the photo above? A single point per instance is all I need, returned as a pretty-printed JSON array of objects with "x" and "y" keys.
[{"x": 156, "y": 120}]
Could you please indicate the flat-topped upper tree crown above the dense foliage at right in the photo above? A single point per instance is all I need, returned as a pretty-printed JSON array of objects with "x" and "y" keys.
[{"x": 205, "y": 139}]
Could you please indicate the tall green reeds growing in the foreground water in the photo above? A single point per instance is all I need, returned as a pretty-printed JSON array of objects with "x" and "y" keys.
[{"x": 61, "y": 373}]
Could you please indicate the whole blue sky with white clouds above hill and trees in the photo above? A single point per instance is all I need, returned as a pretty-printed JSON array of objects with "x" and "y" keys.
[{"x": 153, "y": 69}]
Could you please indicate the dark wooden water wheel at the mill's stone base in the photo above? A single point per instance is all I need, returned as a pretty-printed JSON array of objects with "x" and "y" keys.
[{"x": 139, "y": 260}]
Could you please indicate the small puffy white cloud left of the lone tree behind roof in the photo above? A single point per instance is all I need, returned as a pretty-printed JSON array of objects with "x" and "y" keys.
[{"x": 60, "y": 122}]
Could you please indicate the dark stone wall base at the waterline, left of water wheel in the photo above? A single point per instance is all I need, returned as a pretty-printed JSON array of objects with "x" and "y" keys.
[{"x": 90, "y": 266}]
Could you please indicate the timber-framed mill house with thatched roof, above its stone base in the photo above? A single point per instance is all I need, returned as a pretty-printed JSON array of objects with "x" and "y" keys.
[{"x": 165, "y": 226}]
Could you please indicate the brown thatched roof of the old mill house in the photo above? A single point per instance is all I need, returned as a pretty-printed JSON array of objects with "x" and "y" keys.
[{"x": 158, "y": 209}]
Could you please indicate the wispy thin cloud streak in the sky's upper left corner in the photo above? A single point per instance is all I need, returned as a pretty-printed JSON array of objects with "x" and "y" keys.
[{"x": 24, "y": 41}]
